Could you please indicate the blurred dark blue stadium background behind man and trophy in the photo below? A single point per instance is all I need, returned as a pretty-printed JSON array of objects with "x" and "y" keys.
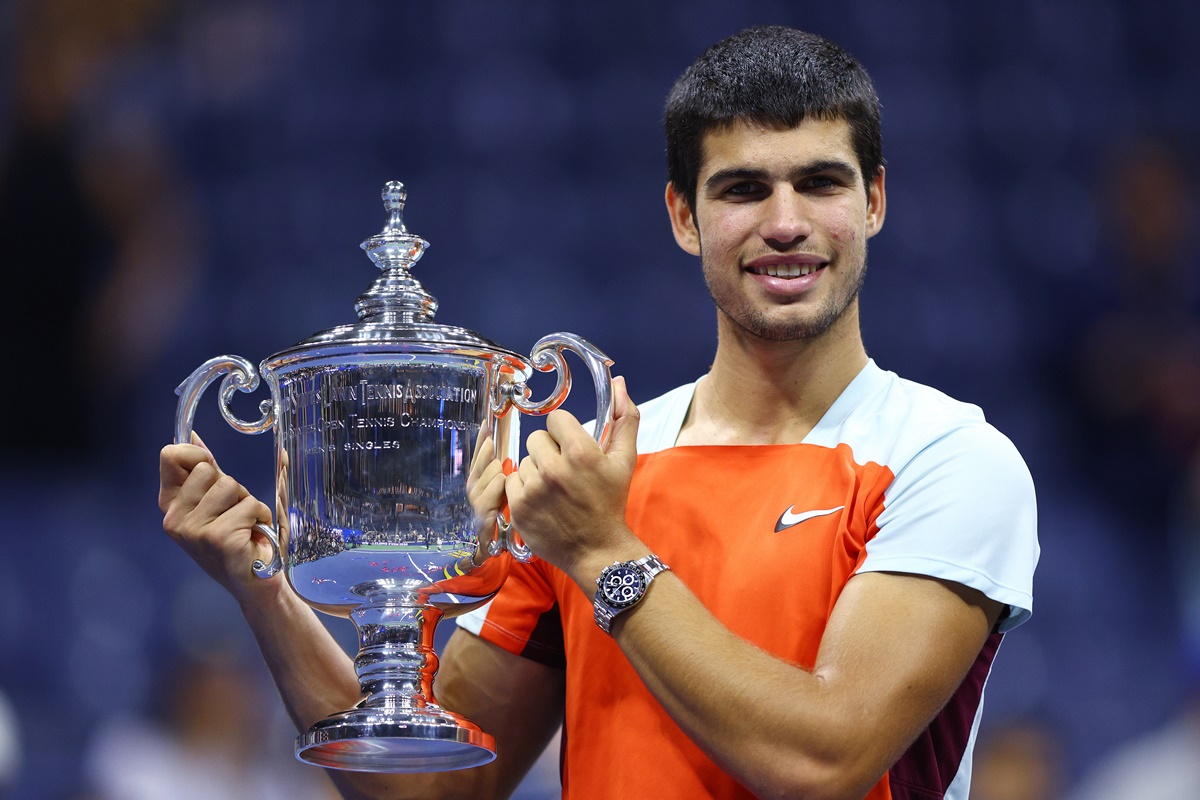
[{"x": 181, "y": 181}]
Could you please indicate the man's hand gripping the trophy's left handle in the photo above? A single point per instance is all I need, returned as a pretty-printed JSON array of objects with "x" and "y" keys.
[{"x": 212, "y": 516}]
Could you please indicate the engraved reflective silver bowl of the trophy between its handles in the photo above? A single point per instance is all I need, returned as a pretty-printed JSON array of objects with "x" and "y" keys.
[{"x": 377, "y": 473}]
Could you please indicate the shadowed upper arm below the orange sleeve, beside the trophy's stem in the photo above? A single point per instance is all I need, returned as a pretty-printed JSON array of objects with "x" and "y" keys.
[{"x": 518, "y": 701}]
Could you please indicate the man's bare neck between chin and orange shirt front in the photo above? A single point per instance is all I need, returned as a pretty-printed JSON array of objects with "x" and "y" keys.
[{"x": 761, "y": 392}]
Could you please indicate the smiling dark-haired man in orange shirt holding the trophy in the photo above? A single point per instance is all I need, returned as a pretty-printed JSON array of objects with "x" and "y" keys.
[{"x": 817, "y": 561}]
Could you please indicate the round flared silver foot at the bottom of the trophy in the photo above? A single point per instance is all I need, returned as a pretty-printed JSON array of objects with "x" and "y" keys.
[{"x": 371, "y": 741}]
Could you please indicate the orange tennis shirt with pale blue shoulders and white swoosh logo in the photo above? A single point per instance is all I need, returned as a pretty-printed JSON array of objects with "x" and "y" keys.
[{"x": 895, "y": 478}]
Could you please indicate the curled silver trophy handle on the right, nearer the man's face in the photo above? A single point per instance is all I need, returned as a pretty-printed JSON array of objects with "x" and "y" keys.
[{"x": 548, "y": 354}]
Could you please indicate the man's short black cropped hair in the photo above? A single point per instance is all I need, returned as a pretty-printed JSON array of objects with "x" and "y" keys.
[{"x": 772, "y": 76}]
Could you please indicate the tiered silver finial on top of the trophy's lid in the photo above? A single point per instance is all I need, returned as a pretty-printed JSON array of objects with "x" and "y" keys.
[{"x": 395, "y": 294}]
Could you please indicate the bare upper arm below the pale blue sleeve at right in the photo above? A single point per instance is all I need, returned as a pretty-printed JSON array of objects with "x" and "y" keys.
[{"x": 898, "y": 647}]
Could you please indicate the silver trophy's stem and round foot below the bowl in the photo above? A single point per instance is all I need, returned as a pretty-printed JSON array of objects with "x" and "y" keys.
[{"x": 399, "y": 727}]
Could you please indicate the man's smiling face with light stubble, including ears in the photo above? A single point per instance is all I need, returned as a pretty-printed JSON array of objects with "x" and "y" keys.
[{"x": 781, "y": 222}]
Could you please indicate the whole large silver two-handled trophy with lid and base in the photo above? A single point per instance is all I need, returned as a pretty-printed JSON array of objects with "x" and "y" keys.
[{"x": 377, "y": 425}]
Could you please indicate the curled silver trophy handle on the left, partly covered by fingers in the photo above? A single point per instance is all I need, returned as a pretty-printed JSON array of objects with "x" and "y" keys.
[{"x": 241, "y": 376}]
